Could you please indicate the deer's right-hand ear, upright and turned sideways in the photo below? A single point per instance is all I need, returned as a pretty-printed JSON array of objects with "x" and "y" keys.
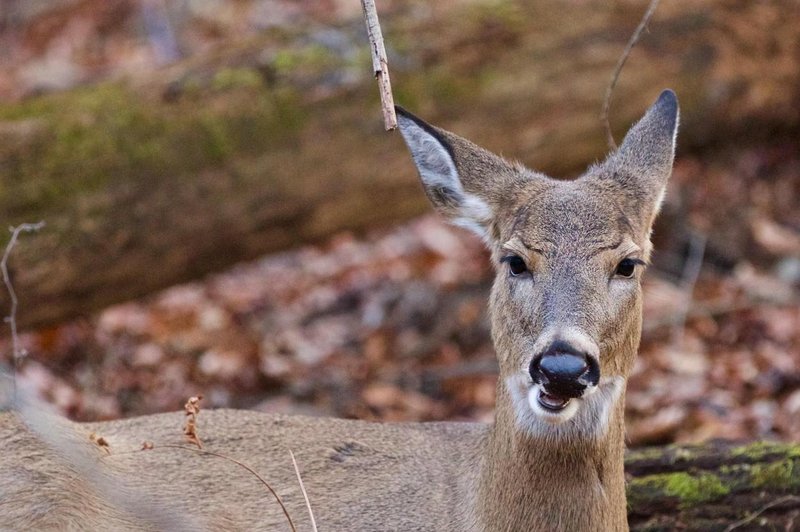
[{"x": 643, "y": 163}]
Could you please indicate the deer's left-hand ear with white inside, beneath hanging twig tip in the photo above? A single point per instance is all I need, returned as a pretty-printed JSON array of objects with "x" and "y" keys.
[{"x": 460, "y": 178}]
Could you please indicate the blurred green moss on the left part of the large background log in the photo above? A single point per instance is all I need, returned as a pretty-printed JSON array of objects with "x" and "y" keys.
[{"x": 93, "y": 137}]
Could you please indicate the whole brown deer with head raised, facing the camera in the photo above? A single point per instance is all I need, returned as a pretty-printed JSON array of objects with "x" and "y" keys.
[{"x": 566, "y": 319}]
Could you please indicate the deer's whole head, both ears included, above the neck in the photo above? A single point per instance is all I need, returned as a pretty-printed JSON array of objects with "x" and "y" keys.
[{"x": 566, "y": 301}]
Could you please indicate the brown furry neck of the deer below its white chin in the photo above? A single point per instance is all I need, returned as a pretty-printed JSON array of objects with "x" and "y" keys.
[{"x": 535, "y": 482}]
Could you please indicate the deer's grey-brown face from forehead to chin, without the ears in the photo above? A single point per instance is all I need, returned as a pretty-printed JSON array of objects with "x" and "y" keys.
[{"x": 566, "y": 302}]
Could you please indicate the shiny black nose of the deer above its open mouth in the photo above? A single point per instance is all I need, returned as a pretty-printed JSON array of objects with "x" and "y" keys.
[{"x": 563, "y": 371}]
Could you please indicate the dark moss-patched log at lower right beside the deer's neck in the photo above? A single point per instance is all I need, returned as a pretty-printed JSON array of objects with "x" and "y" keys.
[{"x": 714, "y": 487}]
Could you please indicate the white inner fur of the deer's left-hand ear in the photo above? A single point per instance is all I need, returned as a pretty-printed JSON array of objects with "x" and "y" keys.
[{"x": 438, "y": 170}]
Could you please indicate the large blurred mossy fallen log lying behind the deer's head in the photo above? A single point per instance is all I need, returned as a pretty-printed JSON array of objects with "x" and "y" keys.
[{"x": 258, "y": 147}]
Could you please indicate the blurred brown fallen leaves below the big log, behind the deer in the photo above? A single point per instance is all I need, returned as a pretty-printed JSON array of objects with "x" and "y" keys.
[{"x": 394, "y": 327}]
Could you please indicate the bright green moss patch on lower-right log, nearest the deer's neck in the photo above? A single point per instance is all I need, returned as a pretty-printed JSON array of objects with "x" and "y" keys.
[{"x": 689, "y": 490}]
